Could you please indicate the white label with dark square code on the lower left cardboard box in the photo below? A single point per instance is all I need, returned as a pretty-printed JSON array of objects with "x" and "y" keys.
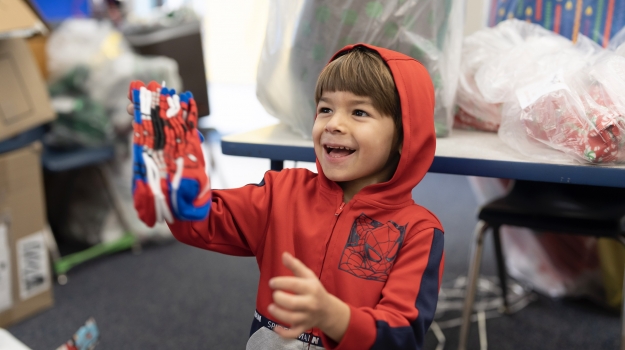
[{"x": 33, "y": 270}]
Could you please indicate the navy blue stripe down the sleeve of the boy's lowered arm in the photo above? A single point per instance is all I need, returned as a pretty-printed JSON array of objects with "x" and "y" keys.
[{"x": 413, "y": 337}]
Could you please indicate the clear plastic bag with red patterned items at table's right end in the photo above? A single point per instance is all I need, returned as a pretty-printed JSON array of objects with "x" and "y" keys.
[{"x": 573, "y": 113}]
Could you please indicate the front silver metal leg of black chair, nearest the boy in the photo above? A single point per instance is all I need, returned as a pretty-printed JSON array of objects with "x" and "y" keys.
[{"x": 472, "y": 279}]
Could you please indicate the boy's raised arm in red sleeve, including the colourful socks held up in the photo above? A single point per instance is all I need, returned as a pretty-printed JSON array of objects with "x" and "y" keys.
[{"x": 170, "y": 181}]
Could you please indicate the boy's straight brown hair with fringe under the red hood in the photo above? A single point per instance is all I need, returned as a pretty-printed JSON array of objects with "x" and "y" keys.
[{"x": 362, "y": 72}]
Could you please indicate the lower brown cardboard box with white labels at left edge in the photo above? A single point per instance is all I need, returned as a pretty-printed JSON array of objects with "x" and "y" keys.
[{"x": 25, "y": 271}]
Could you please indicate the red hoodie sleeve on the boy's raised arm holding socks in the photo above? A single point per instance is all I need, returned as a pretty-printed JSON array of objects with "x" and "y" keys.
[{"x": 236, "y": 223}]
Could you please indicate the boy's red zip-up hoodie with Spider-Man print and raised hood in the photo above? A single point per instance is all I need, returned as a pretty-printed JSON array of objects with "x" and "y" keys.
[{"x": 380, "y": 253}]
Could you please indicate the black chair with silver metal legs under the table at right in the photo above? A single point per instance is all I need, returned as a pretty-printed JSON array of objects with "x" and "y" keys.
[{"x": 566, "y": 208}]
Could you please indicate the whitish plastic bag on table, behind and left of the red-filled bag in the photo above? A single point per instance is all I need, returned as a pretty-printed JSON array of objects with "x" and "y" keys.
[{"x": 497, "y": 60}]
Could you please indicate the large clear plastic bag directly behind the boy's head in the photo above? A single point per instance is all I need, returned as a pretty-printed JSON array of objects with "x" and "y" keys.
[{"x": 302, "y": 35}]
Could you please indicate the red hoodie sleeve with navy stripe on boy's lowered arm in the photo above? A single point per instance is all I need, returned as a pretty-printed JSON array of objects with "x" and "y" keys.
[{"x": 402, "y": 317}]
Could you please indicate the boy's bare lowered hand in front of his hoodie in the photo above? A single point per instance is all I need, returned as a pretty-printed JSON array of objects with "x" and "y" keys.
[{"x": 303, "y": 302}]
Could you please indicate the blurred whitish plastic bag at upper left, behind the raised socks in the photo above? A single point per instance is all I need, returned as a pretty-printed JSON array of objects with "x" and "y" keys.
[{"x": 109, "y": 64}]
